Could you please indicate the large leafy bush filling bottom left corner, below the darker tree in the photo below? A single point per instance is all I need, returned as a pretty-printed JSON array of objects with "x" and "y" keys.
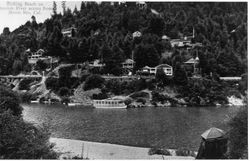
[{"x": 21, "y": 140}]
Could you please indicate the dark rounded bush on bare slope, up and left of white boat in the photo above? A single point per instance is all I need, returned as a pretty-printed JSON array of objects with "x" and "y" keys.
[{"x": 93, "y": 81}]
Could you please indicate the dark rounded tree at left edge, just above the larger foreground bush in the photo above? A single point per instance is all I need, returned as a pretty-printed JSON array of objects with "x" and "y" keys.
[{"x": 9, "y": 101}]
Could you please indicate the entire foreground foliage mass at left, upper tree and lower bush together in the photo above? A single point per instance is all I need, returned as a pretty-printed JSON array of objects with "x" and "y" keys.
[{"x": 19, "y": 139}]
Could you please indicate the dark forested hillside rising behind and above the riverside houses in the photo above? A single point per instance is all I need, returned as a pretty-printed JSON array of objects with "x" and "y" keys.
[{"x": 104, "y": 31}]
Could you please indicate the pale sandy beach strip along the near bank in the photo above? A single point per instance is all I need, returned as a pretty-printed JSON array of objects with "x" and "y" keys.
[{"x": 93, "y": 150}]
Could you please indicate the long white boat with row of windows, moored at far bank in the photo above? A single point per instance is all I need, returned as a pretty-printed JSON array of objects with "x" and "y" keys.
[{"x": 109, "y": 103}]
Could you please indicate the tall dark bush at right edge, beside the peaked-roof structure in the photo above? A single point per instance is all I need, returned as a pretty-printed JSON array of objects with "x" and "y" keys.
[{"x": 238, "y": 135}]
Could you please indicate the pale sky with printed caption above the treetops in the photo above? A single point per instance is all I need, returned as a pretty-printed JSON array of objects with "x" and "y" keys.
[{"x": 14, "y": 13}]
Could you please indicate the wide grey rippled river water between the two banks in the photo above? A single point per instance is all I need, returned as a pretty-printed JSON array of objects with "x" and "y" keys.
[{"x": 173, "y": 127}]
